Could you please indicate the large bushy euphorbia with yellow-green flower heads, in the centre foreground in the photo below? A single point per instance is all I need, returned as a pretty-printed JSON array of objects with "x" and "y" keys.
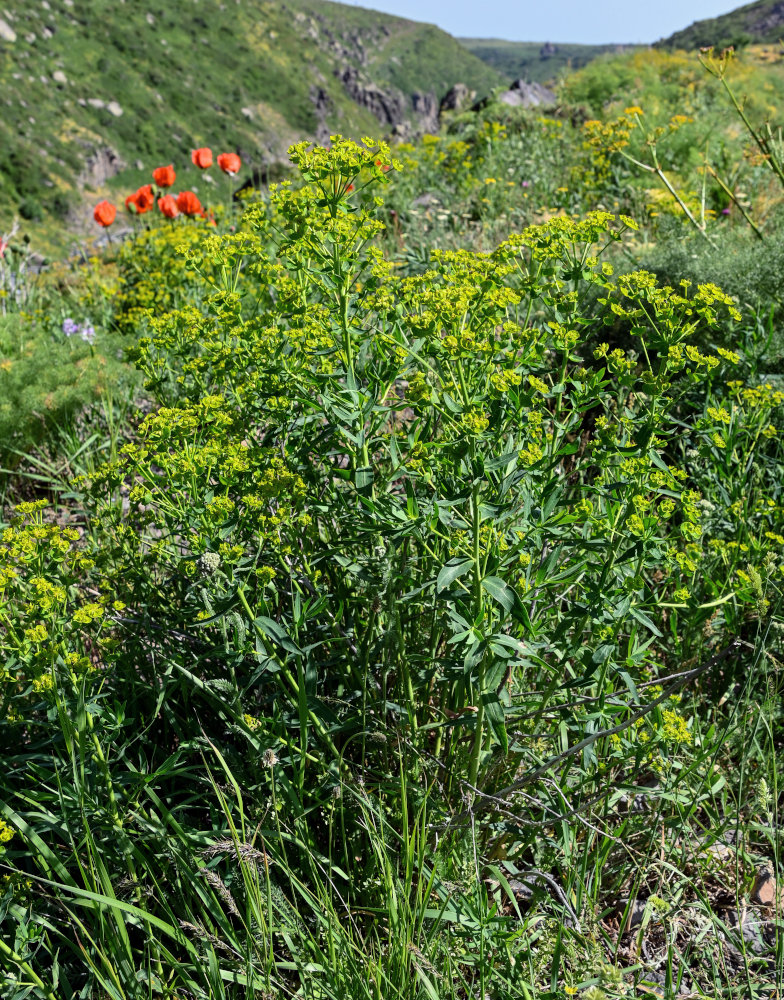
[{"x": 410, "y": 493}]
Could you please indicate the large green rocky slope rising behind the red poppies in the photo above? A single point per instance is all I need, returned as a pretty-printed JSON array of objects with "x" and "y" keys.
[{"x": 96, "y": 92}]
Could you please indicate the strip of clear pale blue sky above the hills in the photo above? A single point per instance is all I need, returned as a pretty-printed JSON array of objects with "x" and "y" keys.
[{"x": 557, "y": 20}]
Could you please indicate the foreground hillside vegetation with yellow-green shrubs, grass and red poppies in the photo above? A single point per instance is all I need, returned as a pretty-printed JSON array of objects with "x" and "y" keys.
[{"x": 392, "y": 557}]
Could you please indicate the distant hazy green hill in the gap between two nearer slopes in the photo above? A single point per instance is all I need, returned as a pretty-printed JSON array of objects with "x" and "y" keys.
[{"x": 534, "y": 61}]
